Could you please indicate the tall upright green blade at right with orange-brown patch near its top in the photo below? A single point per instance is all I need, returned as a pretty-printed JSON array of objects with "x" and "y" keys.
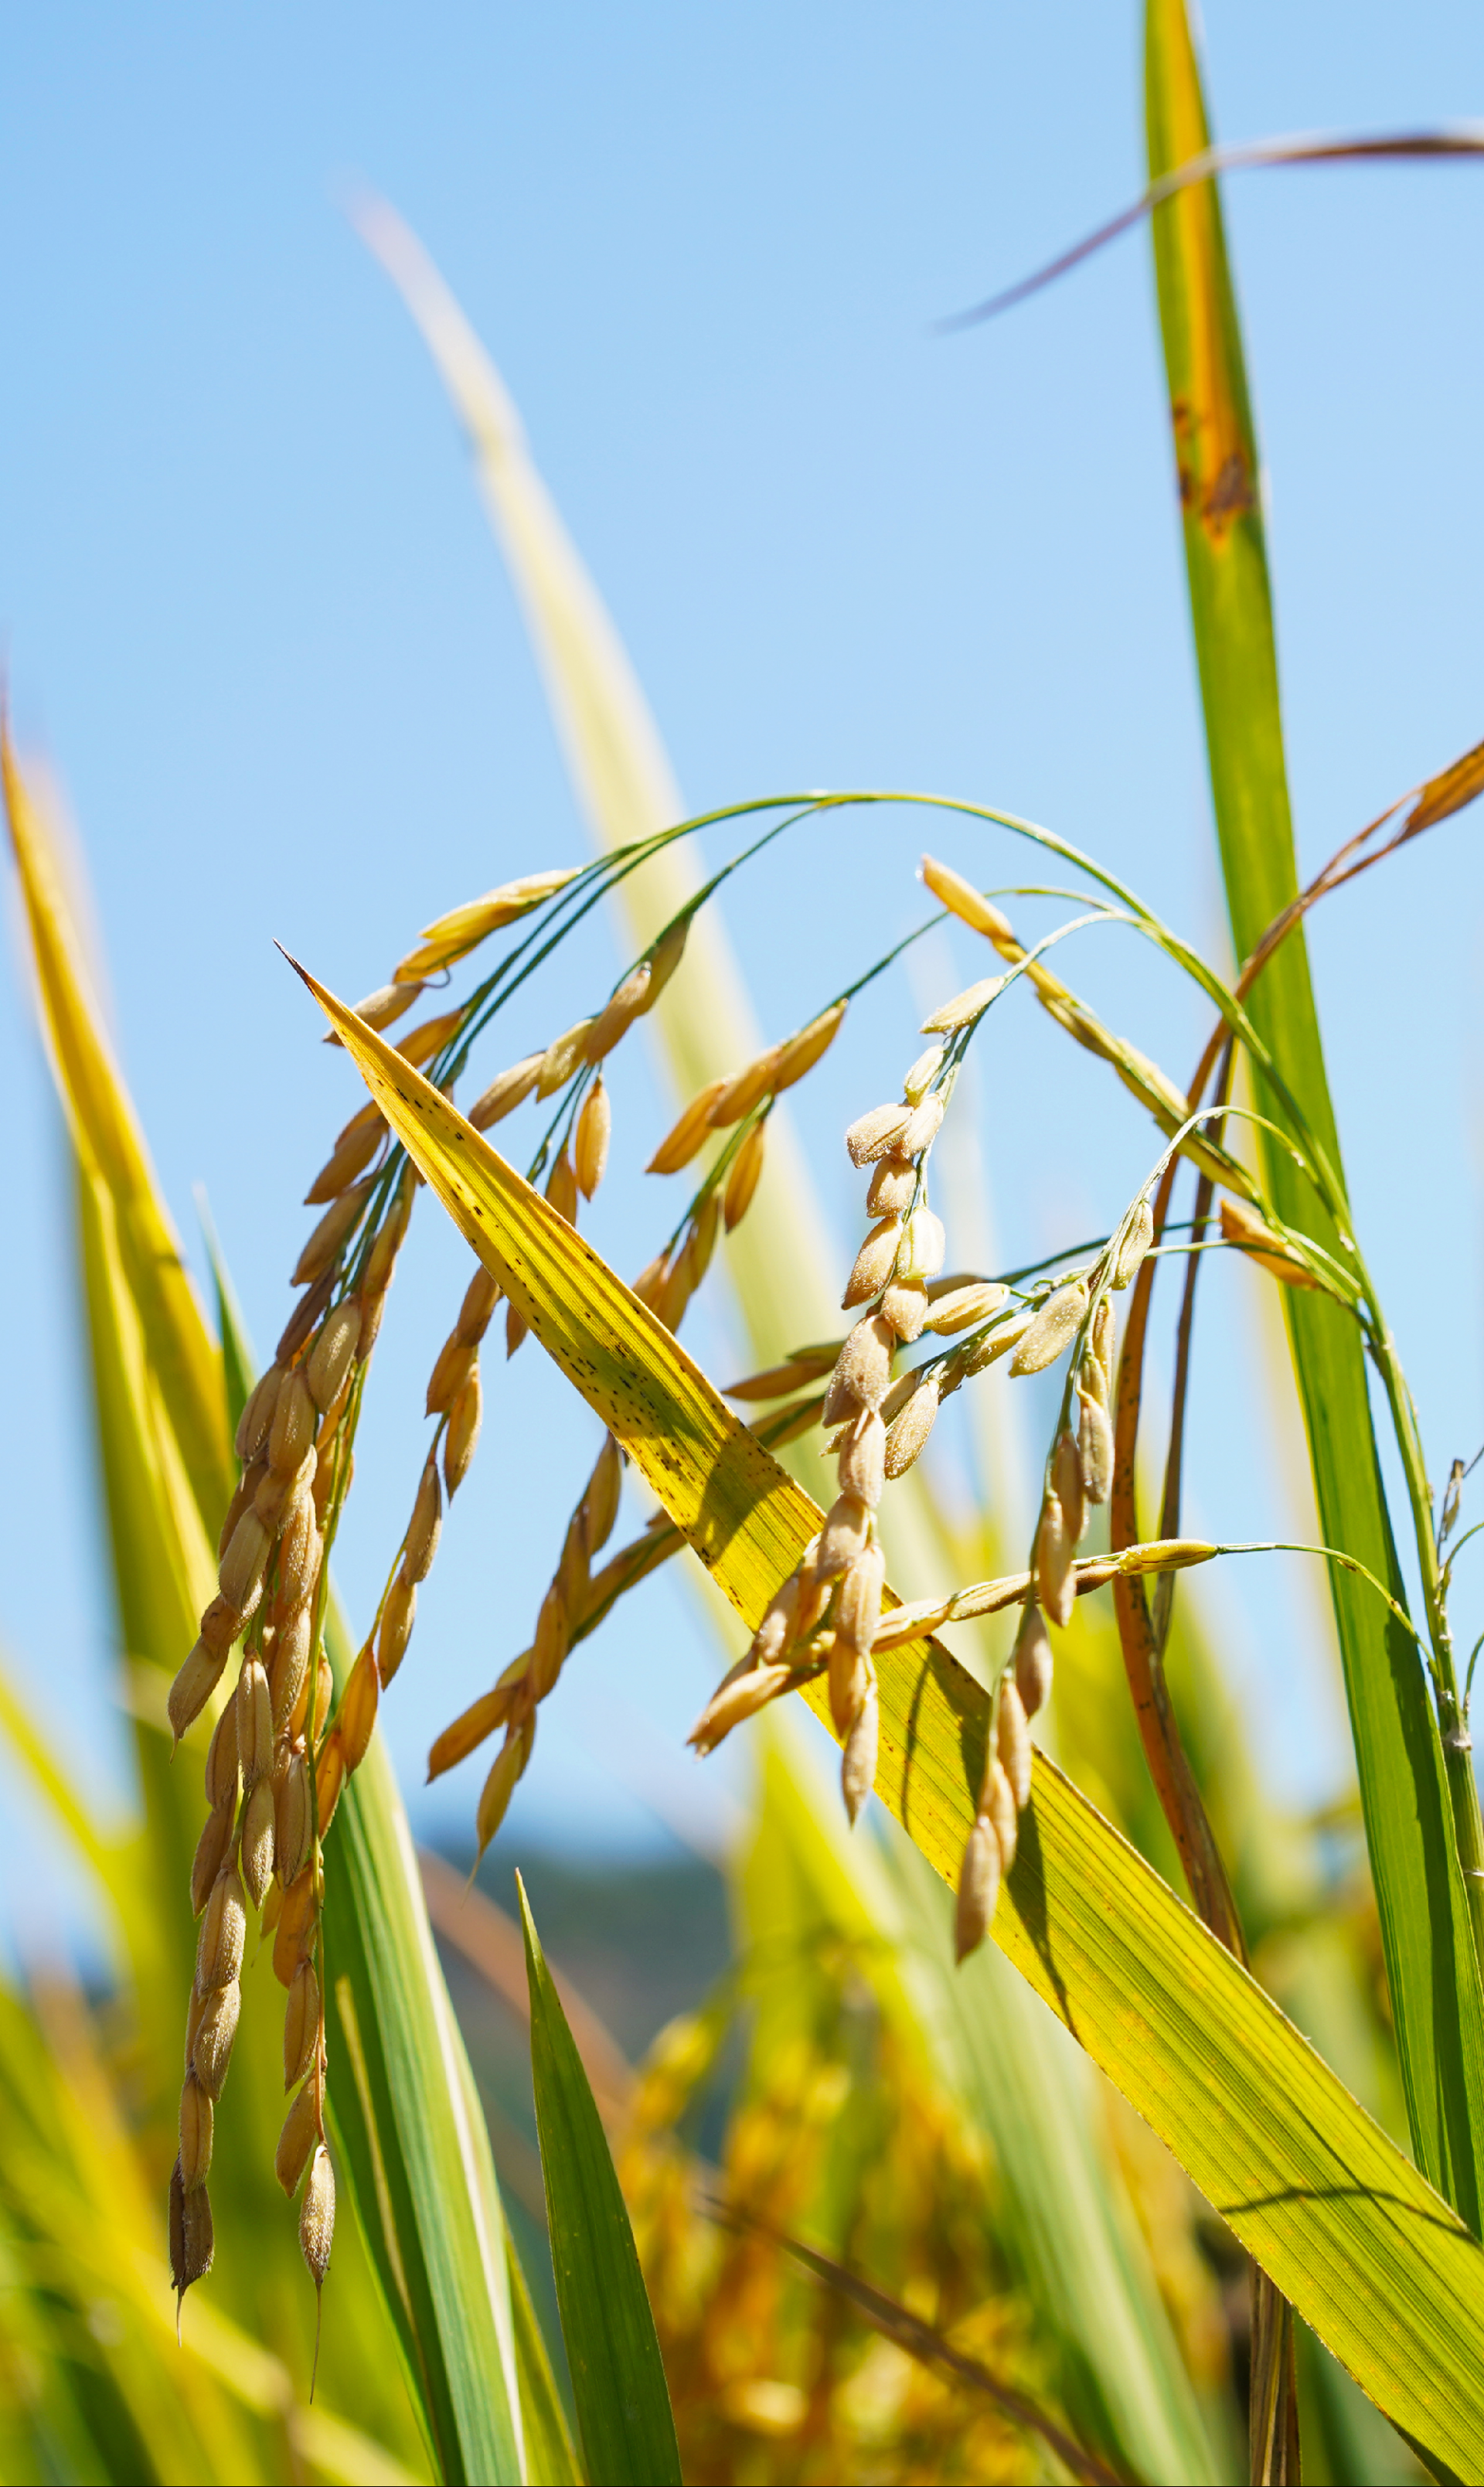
[{"x": 1421, "y": 1896}]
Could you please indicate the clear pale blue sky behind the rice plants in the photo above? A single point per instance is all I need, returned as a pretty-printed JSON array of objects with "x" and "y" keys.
[{"x": 255, "y": 621}]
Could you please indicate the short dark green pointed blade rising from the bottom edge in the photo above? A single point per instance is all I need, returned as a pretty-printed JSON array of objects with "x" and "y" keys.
[{"x": 613, "y": 2349}]
